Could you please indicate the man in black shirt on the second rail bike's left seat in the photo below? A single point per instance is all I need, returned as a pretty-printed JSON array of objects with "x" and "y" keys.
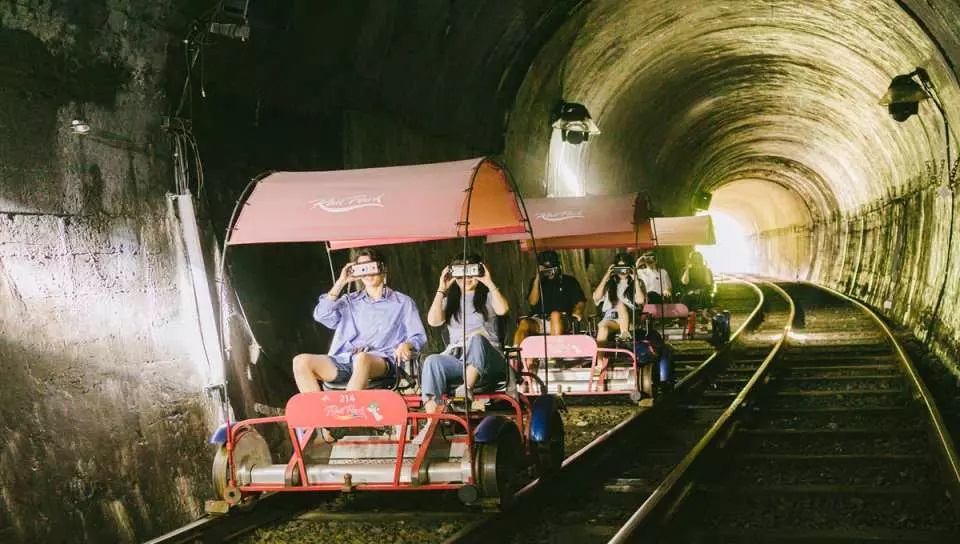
[{"x": 561, "y": 295}]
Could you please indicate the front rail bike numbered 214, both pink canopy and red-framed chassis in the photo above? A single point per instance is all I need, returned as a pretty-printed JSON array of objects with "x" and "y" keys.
[{"x": 484, "y": 455}]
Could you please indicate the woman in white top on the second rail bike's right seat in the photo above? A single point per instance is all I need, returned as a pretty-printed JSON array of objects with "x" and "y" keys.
[{"x": 616, "y": 295}]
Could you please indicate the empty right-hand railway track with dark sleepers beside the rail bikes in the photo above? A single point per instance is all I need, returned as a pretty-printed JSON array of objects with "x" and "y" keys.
[{"x": 840, "y": 442}]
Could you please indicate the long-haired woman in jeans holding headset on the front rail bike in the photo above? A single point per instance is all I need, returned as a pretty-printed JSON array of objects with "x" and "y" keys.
[{"x": 467, "y": 303}]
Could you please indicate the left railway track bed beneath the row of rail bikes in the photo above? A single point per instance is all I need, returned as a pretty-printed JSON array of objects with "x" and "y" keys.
[{"x": 415, "y": 517}]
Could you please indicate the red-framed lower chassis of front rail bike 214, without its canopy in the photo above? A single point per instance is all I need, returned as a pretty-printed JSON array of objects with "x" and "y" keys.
[{"x": 379, "y": 454}]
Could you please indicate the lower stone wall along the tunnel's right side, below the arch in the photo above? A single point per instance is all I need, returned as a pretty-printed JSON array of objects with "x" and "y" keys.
[{"x": 892, "y": 254}]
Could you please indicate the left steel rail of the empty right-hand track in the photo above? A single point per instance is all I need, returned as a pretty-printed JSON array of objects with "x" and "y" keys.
[{"x": 676, "y": 485}]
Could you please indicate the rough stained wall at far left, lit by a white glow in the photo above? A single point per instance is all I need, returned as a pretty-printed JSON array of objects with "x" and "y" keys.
[{"x": 101, "y": 407}]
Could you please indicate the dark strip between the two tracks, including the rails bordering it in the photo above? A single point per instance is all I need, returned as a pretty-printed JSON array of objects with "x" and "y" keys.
[{"x": 592, "y": 509}]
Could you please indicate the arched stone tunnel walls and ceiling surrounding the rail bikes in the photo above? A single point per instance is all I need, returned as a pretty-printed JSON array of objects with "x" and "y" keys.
[{"x": 120, "y": 118}]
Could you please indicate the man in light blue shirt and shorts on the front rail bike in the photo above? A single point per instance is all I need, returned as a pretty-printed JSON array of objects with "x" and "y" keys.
[{"x": 374, "y": 328}]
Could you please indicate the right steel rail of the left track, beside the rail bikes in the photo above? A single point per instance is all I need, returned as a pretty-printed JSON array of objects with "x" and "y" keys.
[{"x": 492, "y": 526}]
